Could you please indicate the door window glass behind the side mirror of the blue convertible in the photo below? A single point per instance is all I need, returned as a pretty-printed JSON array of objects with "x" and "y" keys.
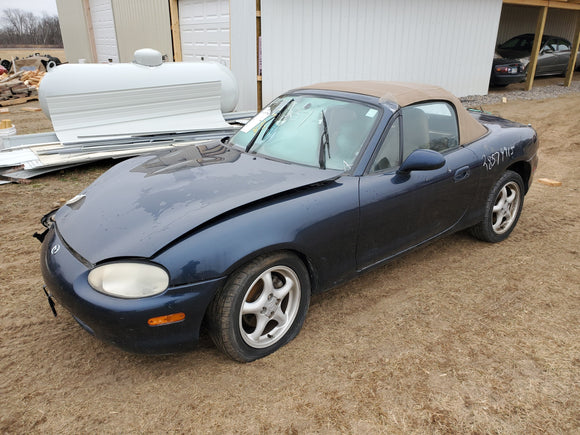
[{"x": 429, "y": 126}]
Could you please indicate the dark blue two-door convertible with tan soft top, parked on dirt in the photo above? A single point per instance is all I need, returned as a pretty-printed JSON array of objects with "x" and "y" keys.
[{"x": 326, "y": 182}]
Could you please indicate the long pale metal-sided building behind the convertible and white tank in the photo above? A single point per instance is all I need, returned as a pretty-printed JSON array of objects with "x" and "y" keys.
[{"x": 275, "y": 45}]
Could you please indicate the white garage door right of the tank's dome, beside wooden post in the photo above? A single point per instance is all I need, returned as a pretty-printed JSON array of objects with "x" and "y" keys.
[{"x": 205, "y": 30}]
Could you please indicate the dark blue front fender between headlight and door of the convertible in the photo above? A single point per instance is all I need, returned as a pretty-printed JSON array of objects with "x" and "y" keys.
[{"x": 320, "y": 223}]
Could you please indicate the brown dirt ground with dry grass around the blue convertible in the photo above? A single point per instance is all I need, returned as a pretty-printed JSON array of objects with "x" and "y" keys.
[{"x": 458, "y": 337}]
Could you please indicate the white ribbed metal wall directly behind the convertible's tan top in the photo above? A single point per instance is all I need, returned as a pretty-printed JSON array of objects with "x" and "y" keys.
[{"x": 449, "y": 43}]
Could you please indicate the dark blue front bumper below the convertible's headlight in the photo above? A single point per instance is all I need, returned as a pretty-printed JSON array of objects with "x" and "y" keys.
[{"x": 123, "y": 322}]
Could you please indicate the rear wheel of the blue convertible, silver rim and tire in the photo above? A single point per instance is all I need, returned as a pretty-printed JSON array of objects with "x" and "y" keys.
[{"x": 502, "y": 209}]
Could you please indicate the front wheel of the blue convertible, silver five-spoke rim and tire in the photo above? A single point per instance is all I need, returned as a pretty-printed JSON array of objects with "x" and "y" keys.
[{"x": 261, "y": 307}]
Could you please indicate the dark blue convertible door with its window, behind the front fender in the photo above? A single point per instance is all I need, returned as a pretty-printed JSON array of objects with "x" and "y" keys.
[{"x": 397, "y": 211}]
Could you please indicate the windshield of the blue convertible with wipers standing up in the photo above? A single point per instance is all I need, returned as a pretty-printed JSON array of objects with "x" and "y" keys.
[{"x": 310, "y": 130}]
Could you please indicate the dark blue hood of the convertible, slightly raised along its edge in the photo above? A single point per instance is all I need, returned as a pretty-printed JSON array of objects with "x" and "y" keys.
[{"x": 141, "y": 205}]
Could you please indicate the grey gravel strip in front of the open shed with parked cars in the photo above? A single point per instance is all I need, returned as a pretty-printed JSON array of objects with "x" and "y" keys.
[{"x": 543, "y": 88}]
